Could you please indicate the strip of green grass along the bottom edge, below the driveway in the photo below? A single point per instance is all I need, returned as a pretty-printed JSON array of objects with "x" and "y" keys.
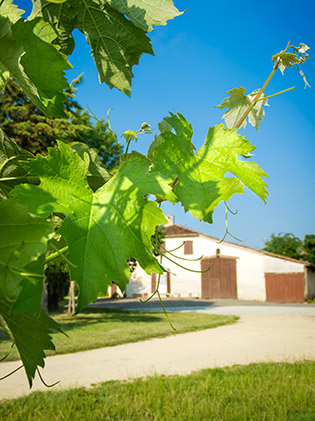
[{"x": 267, "y": 391}]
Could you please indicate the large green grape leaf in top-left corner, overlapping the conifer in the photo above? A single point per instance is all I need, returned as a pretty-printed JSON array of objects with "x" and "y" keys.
[{"x": 27, "y": 55}]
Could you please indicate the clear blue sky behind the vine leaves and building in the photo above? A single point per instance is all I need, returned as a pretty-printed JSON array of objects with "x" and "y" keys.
[{"x": 212, "y": 48}]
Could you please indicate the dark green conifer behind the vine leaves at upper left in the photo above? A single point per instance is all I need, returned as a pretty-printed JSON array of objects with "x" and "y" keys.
[{"x": 23, "y": 121}]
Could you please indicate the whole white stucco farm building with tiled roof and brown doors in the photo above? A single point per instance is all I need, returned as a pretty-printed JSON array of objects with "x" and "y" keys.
[{"x": 229, "y": 271}]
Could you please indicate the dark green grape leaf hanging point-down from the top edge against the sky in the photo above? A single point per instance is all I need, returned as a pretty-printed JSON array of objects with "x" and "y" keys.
[{"x": 116, "y": 42}]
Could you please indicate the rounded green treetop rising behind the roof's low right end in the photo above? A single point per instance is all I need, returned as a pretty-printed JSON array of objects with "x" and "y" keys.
[{"x": 285, "y": 245}]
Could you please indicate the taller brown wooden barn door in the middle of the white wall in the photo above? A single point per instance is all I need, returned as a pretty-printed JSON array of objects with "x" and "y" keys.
[{"x": 220, "y": 280}]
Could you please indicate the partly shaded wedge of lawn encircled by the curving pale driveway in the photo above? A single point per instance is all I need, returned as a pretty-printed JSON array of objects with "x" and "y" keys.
[{"x": 96, "y": 328}]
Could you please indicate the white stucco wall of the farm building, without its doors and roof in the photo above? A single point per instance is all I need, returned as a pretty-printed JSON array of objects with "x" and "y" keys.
[{"x": 251, "y": 267}]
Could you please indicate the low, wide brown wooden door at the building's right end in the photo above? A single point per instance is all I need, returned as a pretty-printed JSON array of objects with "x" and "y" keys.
[{"x": 285, "y": 287}]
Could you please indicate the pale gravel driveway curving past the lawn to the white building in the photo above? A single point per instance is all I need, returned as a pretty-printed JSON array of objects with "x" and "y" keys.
[{"x": 264, "y": 333}]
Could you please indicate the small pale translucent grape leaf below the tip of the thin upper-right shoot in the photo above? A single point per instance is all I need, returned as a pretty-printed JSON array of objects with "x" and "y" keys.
[{"x": 238, "y": 103}]
